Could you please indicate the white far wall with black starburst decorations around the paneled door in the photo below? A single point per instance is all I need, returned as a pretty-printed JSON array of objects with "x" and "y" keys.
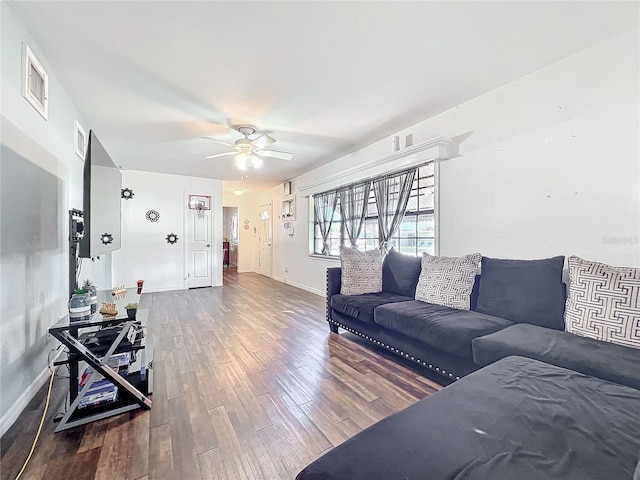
[{"x": 145, "y": 253}]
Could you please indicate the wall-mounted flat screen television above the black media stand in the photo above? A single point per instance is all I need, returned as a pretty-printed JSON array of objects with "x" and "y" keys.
[{"x": 102, "y": 189}]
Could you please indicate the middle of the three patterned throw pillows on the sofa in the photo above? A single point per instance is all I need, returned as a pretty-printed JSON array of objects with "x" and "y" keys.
[{"x": 448, "y": 281}]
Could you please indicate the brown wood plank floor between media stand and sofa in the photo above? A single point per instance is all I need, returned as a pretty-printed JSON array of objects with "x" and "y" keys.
[{"x": 248, "y": 384}]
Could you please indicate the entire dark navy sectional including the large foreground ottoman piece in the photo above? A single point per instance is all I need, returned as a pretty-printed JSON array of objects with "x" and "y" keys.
[{"x": 543, "y": 404}]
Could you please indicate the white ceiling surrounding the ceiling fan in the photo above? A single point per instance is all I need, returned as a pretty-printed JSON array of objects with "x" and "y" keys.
[{"x": 323, "y": 78}]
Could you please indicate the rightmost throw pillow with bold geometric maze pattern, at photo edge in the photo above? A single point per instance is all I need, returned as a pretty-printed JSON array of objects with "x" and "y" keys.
[{"x": 603, "y": 302}]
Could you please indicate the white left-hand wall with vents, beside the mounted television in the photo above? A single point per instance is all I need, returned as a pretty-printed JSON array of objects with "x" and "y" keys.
[{"x": 41, "y": 179}]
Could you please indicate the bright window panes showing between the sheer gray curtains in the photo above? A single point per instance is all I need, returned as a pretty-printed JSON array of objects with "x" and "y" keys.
[{"x": 415, "y": 235}]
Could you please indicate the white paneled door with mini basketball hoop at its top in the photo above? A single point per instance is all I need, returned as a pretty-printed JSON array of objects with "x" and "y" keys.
[{"x": 199, "y": 245}]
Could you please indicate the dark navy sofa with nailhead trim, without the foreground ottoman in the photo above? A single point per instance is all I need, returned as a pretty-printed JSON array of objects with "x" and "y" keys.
[{"x": 516, "y": 309}]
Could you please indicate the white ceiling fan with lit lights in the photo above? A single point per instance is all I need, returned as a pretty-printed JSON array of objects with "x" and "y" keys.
[{"x": 250, "y": 152}]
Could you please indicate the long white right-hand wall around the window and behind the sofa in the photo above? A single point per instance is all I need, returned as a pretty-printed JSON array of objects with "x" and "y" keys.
[{"x": 548, "y": 165}]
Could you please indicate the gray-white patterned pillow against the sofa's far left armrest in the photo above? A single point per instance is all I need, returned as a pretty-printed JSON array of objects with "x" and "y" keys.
[{"x": 361, "y": 271}]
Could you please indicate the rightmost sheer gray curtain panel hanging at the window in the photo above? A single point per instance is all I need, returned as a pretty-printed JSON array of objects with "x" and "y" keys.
[{"x": 392, "y": 195}]
